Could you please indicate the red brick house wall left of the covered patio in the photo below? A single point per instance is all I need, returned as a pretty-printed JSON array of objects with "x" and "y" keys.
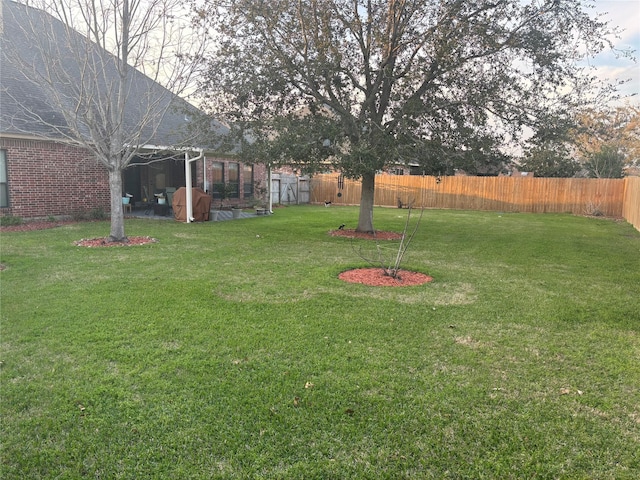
[{"x": 47, "y": 178}]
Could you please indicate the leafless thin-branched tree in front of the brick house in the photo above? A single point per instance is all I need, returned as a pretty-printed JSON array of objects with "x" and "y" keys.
[{"x": 105, "y": 72}]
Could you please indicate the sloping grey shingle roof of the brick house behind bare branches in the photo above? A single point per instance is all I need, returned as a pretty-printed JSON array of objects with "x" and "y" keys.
[{"x": 27, "y": 108}]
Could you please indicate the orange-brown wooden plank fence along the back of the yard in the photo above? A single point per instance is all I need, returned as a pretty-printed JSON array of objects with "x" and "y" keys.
[{"x": 613, "y": 197}]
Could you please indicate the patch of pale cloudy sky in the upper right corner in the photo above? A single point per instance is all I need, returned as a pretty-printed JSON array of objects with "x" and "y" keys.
[{"x": 626, "y": 15}]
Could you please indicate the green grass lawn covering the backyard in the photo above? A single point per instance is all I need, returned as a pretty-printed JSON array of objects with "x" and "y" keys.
[{"x": 231, "y": 350}]
